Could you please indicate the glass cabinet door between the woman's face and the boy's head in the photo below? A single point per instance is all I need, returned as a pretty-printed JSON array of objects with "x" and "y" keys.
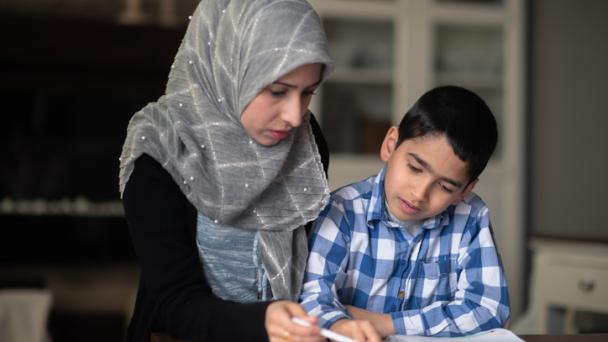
[{"x": 356, "y": 102}]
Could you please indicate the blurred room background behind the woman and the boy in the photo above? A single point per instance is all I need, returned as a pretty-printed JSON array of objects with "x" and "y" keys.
[{"x": 72, "y": 72}]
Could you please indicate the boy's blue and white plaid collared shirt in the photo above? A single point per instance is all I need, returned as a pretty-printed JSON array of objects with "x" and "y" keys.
[{"x": 445, "y": 280}]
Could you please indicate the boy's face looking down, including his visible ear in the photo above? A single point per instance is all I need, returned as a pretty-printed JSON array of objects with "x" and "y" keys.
[{"x": 423, "y": 176}]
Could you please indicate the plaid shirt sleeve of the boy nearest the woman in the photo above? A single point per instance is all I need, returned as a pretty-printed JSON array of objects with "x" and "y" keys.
[{"x": 325, "y": 271}]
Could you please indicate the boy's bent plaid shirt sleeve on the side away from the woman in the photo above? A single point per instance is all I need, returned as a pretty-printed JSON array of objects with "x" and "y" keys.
[{"x": 481, "y": 300}]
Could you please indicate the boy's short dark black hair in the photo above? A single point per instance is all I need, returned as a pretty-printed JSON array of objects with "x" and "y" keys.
[{"x": 462, "y": 116}]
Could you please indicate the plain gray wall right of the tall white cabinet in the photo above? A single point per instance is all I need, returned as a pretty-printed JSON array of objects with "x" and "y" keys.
[{"x": 569, "y": 118}]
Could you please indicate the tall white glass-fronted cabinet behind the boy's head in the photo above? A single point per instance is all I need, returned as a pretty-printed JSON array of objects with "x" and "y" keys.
[{"x": 389, "y": 52}]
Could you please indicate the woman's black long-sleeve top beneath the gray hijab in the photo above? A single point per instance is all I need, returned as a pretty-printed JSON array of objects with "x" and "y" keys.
[{"x": 174, "y": 297}]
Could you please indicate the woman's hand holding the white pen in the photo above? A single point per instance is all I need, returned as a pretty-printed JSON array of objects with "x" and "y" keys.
[{"x": 280, "y": 328}]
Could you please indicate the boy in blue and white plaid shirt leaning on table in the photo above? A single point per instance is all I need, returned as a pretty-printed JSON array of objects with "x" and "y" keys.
[{"x": 411, "y": 249}]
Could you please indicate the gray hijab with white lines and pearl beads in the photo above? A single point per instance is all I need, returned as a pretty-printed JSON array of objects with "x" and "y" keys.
[{"x": 233, "y": 49}]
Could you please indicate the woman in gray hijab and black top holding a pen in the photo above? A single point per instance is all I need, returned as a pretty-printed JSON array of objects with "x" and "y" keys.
[{"x": 220, "y": 175}]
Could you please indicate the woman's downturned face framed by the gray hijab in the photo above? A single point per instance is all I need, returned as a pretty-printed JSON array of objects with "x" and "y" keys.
[{"x": 272, "y": 115}]
